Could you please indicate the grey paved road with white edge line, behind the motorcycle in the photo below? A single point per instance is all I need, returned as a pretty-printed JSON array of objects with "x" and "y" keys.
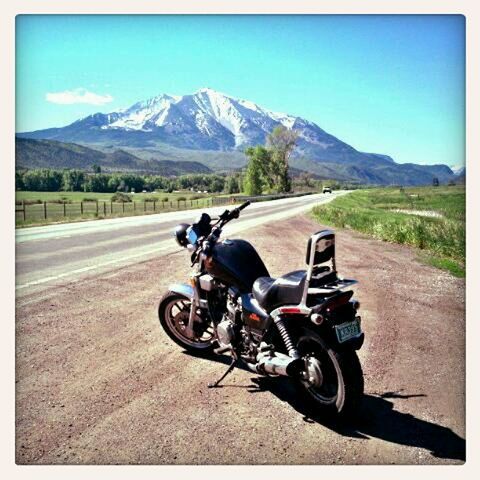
[{"x": 46, "y": 255}]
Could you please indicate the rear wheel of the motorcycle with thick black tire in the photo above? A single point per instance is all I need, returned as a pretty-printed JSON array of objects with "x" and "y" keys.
[{"x": 341, "y": 390}]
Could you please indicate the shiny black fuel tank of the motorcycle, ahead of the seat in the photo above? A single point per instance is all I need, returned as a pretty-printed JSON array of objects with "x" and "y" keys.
[{"x": 236, "y": 263}]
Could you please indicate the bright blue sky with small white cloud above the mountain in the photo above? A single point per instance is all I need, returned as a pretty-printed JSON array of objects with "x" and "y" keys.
[{"x": 384, "y": 84}]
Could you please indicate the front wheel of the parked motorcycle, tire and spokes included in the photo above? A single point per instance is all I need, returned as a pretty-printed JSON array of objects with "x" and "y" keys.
[{"x": 173, "y": 318}]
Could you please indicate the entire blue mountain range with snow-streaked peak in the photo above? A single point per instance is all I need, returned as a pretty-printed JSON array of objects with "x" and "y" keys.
[{"x": 214, "y": 129}]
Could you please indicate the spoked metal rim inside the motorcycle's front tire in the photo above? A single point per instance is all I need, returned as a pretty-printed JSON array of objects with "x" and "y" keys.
[{"x": 177, "y": 313}]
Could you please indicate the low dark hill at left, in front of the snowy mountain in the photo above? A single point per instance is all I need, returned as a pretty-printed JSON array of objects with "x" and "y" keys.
[{"x": 31, "y": 153}]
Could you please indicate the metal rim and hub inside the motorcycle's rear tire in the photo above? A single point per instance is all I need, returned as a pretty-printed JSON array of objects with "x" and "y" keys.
[{"x": 323, "y": 375}]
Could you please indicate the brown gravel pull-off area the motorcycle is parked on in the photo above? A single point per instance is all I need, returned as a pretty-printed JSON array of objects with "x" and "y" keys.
[{"x": 99, "y": 382}]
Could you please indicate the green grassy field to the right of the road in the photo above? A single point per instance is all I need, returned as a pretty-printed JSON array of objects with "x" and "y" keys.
[{"x": 429, "y": 218}]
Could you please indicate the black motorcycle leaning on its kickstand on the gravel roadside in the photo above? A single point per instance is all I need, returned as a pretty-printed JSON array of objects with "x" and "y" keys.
[{"x": 303, "y": 325}]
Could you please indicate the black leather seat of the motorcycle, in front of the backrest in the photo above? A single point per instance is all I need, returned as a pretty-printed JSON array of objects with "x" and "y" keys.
[{"x": 271, "y": 293}]
